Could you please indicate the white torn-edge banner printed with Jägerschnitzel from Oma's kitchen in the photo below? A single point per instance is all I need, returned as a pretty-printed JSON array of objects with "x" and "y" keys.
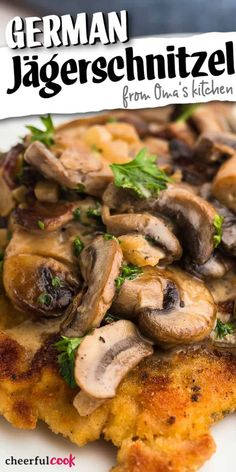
[{"x": 138, "y": 93}]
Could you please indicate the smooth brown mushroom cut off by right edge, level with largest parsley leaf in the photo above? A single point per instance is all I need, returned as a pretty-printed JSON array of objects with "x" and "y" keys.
[{"x": 224, "y": 184}]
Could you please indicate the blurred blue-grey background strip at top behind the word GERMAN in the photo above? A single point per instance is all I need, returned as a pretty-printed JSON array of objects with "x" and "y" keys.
[{"x": 146, "y": 17}]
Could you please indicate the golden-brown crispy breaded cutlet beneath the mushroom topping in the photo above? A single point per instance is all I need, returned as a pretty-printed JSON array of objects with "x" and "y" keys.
[{"x": 159, "y": 419}]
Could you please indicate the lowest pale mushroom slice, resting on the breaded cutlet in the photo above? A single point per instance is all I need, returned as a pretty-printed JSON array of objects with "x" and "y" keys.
[{"x": 106, "y": 356}]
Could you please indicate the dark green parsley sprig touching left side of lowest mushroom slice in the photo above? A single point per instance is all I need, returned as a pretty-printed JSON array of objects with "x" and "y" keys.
[{"x": 66, "y": 358}]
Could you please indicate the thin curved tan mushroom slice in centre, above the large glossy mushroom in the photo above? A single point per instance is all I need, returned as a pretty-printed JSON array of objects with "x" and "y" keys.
[{"x": 152, "y": 227}]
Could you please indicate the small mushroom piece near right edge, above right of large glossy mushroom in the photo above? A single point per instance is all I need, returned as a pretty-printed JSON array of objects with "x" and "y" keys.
[{"x": 216, "y": 267}]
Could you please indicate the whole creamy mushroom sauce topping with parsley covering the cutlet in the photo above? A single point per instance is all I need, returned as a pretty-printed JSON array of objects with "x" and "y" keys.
[{"x": 118, "y": 234}]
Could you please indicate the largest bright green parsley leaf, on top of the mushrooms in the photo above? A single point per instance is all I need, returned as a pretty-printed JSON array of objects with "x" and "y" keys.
[{"x": 142, "y": 175}]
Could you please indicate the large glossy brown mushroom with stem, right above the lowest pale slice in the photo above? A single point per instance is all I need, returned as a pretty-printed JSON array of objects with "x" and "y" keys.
[{"x": 170, "y": 306}]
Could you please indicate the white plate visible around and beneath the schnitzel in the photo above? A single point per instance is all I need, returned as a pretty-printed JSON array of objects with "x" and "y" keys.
[{"x": 99, "y": 456}]
